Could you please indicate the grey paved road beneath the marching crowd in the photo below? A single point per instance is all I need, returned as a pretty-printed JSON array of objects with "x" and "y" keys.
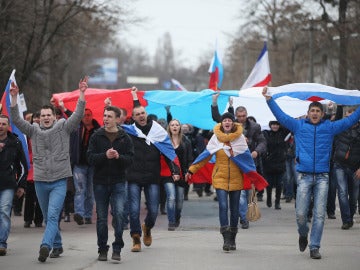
[{"x": 270, "y": 243}]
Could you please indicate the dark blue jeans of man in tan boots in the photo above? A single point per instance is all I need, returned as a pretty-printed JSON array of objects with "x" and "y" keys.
[{"x": 152, "y": 193}]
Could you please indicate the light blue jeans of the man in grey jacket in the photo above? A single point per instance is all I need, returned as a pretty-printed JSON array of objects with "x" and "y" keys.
[{"x": 51, "y": 196}]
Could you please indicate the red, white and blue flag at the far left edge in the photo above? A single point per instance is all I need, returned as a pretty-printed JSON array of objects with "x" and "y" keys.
[{"x": 5, "y": 104}]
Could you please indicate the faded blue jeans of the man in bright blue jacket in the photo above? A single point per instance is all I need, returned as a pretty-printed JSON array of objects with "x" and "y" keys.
[{"x": 308, "y": 186}]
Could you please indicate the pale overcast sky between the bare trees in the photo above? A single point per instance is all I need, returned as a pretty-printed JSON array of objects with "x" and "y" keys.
[{"x": 194, "y": 25}]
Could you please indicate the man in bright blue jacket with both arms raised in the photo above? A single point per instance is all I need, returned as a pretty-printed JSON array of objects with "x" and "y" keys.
[{"x": 314, "y": 138}]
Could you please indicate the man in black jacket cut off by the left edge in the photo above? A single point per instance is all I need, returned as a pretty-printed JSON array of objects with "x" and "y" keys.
[{"x": 13, "y": 171}]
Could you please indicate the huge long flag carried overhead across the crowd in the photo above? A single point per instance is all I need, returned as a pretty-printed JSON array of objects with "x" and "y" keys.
[{"x": 195, "y": 107}]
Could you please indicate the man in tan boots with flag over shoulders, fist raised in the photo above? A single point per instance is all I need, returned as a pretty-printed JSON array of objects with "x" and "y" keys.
[{"x": 145, "y": 173}]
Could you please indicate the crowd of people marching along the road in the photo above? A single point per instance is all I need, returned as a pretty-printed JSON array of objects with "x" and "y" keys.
[{"x": 76, "y": 163}]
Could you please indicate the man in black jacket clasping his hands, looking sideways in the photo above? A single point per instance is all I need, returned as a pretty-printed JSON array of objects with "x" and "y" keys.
[{"x": 111, "y": 152}]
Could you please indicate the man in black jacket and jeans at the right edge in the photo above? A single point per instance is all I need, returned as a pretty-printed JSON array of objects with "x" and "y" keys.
[{"x": 346, "y": 159}]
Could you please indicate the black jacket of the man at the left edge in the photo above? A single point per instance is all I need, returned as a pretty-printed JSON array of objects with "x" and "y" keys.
[{"x": 13, "y": 164}]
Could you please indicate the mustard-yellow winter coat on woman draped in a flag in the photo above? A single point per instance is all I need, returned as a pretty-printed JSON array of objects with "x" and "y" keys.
[{"x": 226, "y": 174}]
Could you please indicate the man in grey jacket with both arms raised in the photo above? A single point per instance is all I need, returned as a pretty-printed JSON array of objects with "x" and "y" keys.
[{"x": 51, "y": 160}]
